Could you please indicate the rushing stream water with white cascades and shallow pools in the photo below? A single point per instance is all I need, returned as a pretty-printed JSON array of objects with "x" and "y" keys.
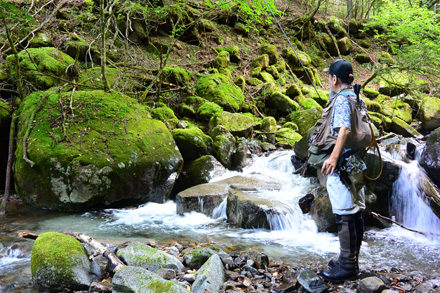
[{"x": 293, "y": 239}]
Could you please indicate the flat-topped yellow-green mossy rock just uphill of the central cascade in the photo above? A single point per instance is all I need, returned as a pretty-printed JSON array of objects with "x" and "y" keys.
[{"x": 236, "y": 123}]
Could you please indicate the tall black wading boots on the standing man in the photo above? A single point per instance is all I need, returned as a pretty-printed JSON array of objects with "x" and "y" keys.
[{"x": 347, "y": 267}]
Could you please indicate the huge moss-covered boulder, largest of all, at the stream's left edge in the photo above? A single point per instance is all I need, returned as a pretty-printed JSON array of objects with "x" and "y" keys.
[{"x": 108, "y": 151}]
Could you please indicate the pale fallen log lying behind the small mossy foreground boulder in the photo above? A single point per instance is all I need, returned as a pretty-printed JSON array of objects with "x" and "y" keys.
[{"x": 115, "y": 262}]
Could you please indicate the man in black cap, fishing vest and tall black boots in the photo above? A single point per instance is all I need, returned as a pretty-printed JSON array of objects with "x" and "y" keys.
[{"x": 340, "y": 149}]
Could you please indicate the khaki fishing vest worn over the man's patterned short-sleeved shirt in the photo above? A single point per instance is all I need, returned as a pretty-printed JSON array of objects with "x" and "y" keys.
[{"x": 360, "y": 136}]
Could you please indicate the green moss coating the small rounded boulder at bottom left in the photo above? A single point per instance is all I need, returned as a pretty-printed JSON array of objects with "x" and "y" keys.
[{"x": 54, "y": 257}]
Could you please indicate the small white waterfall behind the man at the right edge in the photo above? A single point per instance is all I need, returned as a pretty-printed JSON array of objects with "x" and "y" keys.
[{"x": 407, "y": 203}]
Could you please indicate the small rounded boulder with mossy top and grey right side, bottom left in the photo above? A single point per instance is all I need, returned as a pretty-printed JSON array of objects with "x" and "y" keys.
[{"x": 59, "y": 261}]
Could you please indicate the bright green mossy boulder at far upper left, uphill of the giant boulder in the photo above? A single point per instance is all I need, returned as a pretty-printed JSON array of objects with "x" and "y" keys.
[{"x": 41, "y": 67}]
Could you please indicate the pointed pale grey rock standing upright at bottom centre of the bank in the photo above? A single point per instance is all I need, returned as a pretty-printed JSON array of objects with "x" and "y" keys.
[{"x": 210, "y": 277}]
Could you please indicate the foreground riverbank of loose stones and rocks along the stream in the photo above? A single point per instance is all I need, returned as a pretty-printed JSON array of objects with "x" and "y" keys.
[{"x": 202, "y": 267}]
